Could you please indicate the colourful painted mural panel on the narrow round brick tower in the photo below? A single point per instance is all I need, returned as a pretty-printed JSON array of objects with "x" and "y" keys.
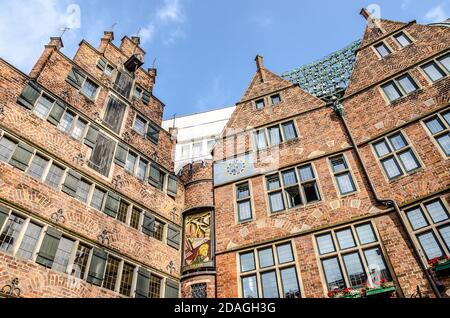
[{"x": 197, "y": 241}]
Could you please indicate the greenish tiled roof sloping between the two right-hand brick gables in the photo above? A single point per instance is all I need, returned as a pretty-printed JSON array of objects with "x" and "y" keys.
[{"x": 329, "y": 75}]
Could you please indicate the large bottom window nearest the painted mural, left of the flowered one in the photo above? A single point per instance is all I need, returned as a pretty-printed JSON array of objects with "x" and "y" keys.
[{"x": 273, "y": 275}]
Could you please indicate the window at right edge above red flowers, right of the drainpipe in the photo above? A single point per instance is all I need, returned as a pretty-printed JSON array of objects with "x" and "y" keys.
[{"x": 430, "y": 223}]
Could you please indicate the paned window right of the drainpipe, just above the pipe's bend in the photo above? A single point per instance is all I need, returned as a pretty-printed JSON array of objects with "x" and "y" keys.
[{"x": 396, "y": 156}]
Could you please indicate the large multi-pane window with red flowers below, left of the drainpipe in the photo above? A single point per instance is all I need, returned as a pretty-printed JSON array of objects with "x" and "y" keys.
[{"x": 349, "y": 255}]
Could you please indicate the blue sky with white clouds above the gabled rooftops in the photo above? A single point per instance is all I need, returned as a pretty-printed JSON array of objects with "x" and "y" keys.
[{"x": 204, "y": 50}]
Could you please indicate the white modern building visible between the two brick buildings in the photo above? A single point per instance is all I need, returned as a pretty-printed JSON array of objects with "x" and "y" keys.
[{"x": 196, "y": 134}]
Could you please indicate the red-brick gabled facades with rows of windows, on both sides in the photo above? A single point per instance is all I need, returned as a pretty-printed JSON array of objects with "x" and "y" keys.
[{"x": 304, "y": 195}]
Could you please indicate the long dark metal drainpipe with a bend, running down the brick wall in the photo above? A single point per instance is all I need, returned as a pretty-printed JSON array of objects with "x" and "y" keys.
[{"x": 339, "y": 109}]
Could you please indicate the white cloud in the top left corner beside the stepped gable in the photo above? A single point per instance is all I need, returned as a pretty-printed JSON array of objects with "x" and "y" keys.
[{"x": 26, "y": 25}]
